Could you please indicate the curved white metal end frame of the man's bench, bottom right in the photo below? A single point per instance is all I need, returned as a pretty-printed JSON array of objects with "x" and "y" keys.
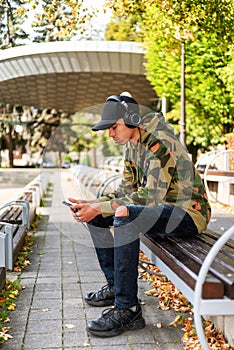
[{"x": 201, "y": 278}]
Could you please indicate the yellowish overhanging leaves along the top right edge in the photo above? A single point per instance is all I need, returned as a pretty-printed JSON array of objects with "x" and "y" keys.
[{"x": 185, "y": 18}]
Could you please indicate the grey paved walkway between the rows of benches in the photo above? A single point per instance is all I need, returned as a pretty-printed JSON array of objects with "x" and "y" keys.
[{"x": 51, "y": 312}]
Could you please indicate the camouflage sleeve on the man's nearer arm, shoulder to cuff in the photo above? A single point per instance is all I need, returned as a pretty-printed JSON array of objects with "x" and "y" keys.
[{"x": 153, "y": 184}]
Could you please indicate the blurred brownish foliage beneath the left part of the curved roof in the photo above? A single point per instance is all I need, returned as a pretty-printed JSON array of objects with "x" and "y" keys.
[{"x": 29, "y": 129}]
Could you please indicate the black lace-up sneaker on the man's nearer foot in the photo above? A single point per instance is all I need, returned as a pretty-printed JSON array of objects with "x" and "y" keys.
[{"x": 115, "y": 321}]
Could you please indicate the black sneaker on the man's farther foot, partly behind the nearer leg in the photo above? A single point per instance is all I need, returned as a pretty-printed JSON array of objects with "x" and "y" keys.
[{"x": 104, "y": 297}]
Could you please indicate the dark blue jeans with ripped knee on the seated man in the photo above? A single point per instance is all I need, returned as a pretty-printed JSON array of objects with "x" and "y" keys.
[{"x": 118, "y": 254}]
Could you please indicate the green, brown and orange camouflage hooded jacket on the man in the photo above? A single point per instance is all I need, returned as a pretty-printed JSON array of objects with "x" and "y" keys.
[{"x": 158, "y": 170}]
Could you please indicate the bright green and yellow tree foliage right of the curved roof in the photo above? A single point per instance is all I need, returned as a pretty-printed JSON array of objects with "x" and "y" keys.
[{"x": 206, "y": 28}]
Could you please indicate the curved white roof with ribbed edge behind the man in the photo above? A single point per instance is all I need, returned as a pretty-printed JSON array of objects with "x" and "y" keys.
[{"x": 73, "y": 75}]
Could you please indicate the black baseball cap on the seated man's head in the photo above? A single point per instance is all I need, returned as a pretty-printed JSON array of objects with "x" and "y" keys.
[{"x": 115, "y": 108}]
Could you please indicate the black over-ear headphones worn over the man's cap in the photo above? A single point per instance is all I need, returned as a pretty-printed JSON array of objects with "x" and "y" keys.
[{"x": 131, "y": 118}]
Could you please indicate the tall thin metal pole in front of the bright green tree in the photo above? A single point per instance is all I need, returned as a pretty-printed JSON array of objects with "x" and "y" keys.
[{"x": 182, "y": 99}]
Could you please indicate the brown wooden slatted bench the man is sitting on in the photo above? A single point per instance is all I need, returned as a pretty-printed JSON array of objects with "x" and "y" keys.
[{"x": 202, "y": 268}]
